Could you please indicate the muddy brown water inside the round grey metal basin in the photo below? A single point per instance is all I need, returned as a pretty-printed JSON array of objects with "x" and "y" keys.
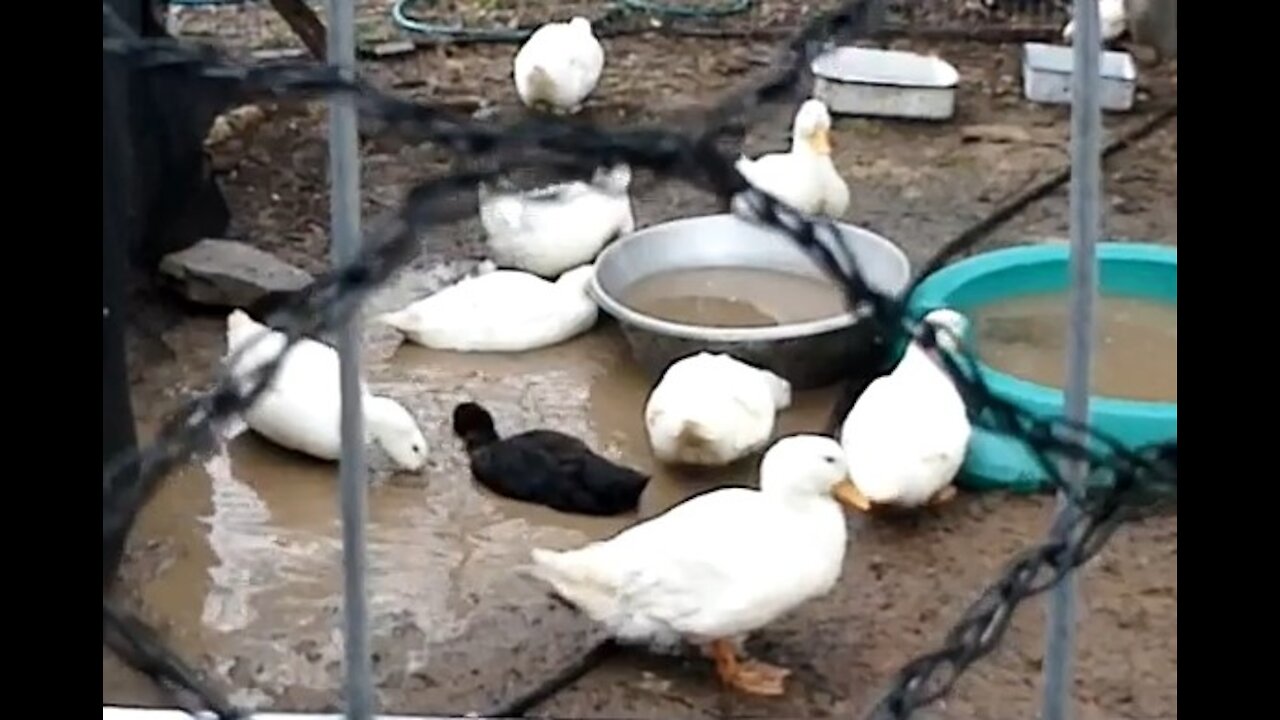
[{"x": 740, "y": 298}]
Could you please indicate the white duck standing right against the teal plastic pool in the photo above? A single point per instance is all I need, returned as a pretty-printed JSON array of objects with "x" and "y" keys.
[{"x": 907, "y": 436}]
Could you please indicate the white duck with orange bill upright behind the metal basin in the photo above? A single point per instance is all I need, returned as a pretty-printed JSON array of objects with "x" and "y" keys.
[{"x": 803, "y": 177}]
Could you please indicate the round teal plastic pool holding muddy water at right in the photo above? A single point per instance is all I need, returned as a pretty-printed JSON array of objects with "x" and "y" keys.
[{"x": 1126, "y": 270}]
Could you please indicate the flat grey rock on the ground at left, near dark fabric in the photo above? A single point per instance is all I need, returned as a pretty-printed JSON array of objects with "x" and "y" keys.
[{"x": 231, "y": 275}]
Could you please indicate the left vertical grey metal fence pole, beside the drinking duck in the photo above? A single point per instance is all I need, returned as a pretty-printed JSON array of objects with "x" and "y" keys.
[{"x": 345, "y": 248}]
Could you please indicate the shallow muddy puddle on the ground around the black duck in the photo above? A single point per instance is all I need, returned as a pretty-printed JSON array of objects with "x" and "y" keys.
[{"x": 252, "y": 535}]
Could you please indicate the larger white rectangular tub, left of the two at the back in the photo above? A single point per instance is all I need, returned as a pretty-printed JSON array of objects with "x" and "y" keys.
[{"x": 894, "y": 84}]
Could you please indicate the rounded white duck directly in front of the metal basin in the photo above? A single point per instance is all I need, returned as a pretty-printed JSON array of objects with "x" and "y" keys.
[{"x": 712, "y": 409}]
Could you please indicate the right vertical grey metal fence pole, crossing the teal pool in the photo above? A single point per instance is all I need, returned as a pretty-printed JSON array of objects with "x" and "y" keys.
[{"x": 1086, "y": 226}]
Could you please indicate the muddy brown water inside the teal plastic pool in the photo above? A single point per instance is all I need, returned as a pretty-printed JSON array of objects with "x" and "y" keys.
[{"x": 1136, "y": 344}]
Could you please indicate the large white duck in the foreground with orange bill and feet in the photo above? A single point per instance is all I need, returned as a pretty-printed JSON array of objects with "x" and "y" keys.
[{"x": 721, "y": 564}]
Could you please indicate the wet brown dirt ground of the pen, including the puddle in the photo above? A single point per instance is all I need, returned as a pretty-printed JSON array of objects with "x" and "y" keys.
[{"x": 239, "y": 558}]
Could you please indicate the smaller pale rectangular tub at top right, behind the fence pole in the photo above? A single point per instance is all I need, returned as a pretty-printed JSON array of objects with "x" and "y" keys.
[{"x": 1048, "y": 76}]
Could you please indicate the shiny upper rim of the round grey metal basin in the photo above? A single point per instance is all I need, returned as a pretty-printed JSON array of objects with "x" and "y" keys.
[{"x": 712, "y": 334}]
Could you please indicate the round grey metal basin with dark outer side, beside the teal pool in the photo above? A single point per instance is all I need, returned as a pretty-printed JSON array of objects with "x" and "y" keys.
[{"x": 810, "y": 354}]
